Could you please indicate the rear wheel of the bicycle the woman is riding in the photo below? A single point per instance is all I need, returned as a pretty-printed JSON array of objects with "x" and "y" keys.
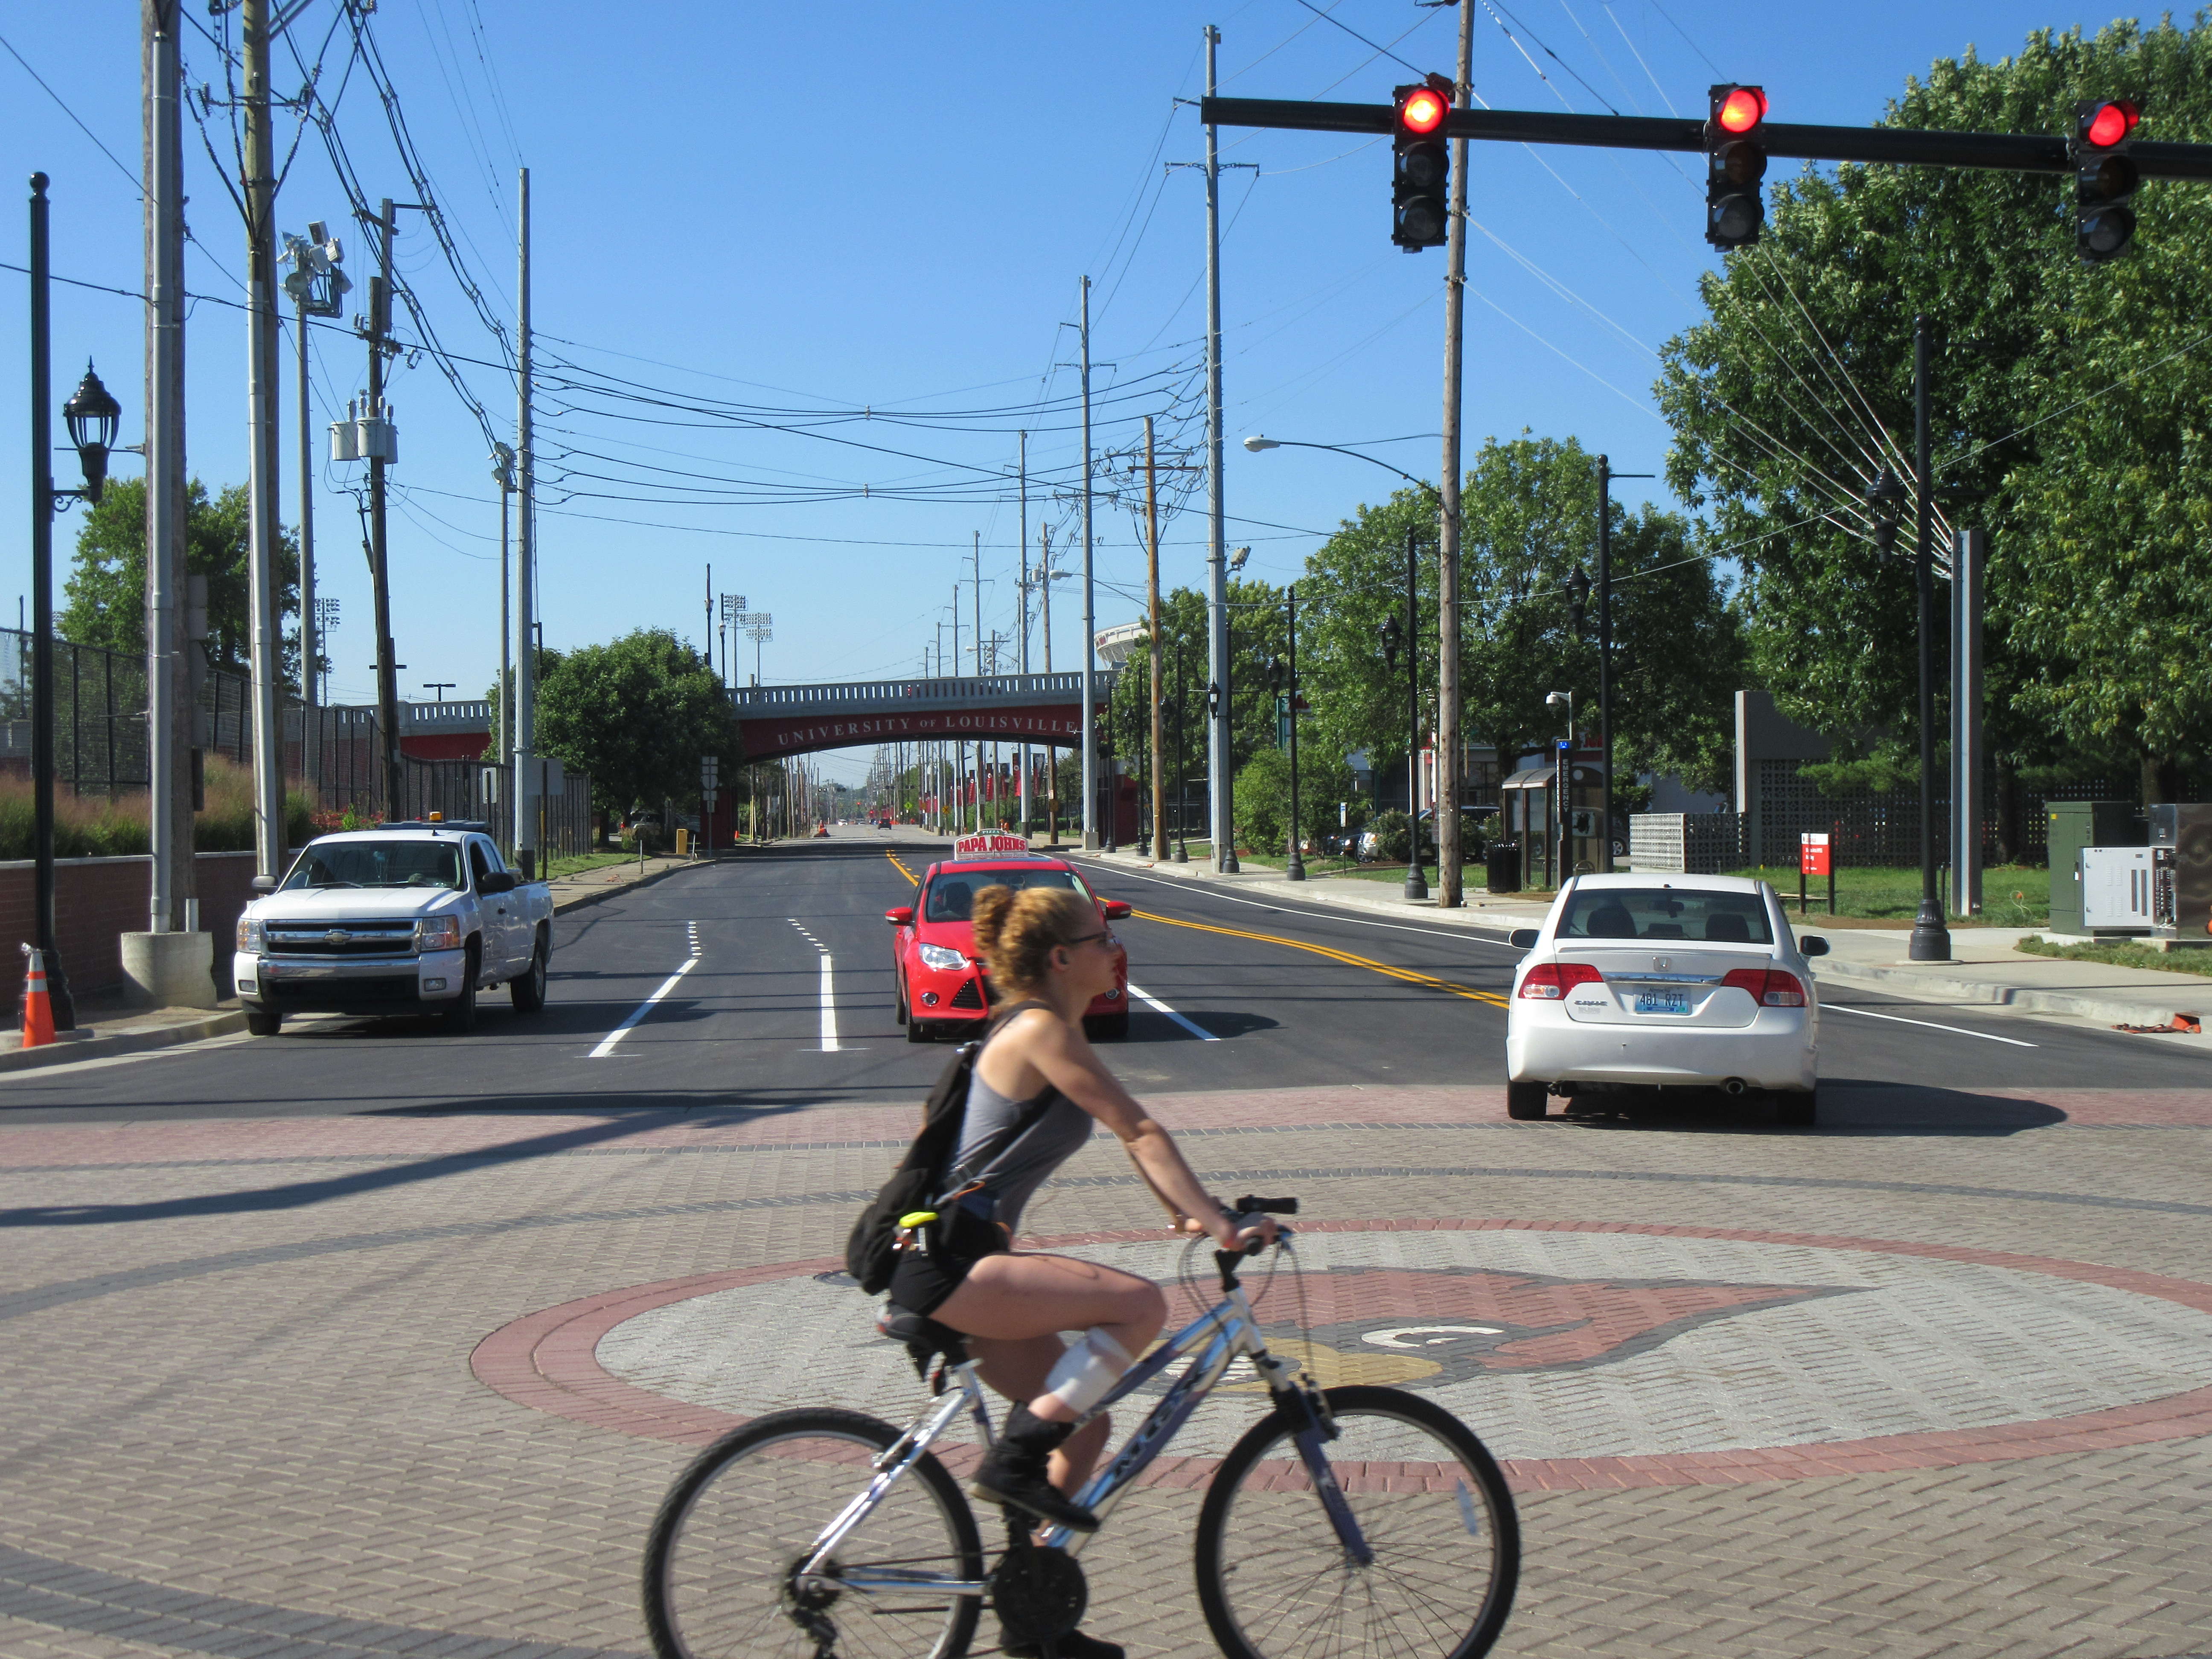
[{"x": 738, "y": 1525}]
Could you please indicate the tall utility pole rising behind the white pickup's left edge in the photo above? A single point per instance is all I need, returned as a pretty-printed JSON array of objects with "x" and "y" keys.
[{"x": 260, "y": 198}]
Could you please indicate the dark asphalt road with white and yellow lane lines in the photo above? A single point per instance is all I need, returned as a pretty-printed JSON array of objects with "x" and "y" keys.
[{"x": 1286, "y": 997}]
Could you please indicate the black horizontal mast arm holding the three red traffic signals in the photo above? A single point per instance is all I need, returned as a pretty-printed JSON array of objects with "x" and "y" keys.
[{"x": 1892, "y": 145}]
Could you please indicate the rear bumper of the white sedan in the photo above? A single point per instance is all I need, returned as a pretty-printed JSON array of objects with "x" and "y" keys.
[{"x": 1775, "y": 1052}]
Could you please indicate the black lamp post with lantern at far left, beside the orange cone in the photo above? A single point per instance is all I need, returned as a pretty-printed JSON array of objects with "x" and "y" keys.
[{"x": 92, "y": 417}]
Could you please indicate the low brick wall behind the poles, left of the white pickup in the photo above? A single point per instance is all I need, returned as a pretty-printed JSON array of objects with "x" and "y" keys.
[{"x": 96, "y": 901}]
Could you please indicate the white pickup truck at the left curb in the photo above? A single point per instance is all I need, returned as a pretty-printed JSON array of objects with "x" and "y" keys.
[{"x": 404, "y": 919}]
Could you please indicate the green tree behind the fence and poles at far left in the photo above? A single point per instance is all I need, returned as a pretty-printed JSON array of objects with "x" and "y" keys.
[{"x": 105, "y": 596}]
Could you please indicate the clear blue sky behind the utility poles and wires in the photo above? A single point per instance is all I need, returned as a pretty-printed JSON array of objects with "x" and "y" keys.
[{"x": 822, "y": 264}]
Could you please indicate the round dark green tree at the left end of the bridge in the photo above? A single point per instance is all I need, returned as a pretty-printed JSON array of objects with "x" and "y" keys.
[{"x": 636, "y": 713}]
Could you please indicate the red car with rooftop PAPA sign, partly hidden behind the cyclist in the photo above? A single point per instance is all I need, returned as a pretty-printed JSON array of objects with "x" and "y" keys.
[{"x": 941, "y": 985}]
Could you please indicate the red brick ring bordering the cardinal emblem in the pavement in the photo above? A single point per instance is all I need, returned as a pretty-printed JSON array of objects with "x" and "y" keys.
[{"x": 547, "y": 1361}]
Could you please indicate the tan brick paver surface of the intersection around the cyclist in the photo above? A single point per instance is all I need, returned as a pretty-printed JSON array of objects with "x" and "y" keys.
[{"x": 244, "y": 1417}]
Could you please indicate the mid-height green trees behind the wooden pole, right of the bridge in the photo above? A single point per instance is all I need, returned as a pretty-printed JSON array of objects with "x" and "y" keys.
[{"x": 1527, "y": 521}]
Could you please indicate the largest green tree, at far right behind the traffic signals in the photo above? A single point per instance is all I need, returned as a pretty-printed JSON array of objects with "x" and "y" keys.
[{"x": 2065, "y": 390}]
